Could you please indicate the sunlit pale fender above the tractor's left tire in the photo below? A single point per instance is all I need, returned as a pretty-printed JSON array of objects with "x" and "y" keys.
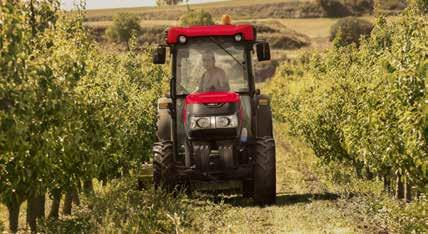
[{"x": 164, "y": 121}]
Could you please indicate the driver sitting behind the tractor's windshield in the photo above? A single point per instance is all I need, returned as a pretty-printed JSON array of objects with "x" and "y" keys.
[{"x": 214, "y": 78}]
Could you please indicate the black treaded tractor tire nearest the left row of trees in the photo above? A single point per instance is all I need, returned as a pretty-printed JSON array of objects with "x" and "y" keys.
[{"x": 163, "y": 163}]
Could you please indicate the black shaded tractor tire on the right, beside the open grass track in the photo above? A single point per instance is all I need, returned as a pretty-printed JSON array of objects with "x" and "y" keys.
[{"x": 265, "y": 172}]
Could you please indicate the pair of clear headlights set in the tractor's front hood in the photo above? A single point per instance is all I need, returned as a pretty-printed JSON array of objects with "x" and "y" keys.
[{"x": 229, "y": 121}]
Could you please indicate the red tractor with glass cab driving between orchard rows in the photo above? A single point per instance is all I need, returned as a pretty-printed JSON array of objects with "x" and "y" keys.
[{"x": 215, "y": 125}]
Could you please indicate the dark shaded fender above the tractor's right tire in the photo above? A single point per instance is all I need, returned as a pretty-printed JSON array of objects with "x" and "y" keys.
[{"x": 263, "y": 121}]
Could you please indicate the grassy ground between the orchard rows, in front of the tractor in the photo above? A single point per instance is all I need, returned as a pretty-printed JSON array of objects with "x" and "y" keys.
[{"x": 308, "y": 201}]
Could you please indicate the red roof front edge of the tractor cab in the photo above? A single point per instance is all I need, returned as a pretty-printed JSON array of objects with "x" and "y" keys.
[{"x": 246, "y": 30}]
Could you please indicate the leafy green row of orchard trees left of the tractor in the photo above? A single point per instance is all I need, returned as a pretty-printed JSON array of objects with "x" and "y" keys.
[{"x": 68, "y": 111}]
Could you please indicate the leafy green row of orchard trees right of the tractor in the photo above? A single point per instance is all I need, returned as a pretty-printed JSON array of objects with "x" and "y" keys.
[{"x": 365, "y": 107}]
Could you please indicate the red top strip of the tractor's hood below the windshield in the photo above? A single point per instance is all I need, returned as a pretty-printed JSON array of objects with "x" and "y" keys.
[{"x": 212, "y": 97}]
